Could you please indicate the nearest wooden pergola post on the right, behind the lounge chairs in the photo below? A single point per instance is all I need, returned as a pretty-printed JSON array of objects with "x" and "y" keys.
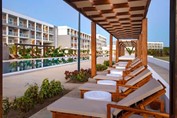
[{"x": 144, "y": 41}]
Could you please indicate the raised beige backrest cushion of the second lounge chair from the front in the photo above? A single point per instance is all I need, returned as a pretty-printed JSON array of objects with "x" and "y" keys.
[{"x": 138, "y": 78}]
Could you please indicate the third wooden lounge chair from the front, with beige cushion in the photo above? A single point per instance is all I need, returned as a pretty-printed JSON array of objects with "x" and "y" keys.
[{"x": 121, "y": 79}]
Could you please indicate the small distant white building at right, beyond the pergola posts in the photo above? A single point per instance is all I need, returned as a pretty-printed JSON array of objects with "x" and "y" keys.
[{"x": 155, "y": 45}]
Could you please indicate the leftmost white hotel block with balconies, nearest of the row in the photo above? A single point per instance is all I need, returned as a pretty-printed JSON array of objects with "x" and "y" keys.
[{"x": 18, "y": 28}]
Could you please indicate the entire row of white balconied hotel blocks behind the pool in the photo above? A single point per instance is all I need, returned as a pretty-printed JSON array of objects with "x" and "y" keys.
[{"x": 21, "y": 29}]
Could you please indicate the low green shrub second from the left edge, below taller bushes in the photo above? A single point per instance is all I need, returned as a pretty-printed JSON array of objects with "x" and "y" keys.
[{"x": 23, "y": 104}]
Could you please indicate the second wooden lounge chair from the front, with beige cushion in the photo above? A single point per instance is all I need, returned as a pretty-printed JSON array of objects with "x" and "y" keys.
[{"x": 121, "y": 90}]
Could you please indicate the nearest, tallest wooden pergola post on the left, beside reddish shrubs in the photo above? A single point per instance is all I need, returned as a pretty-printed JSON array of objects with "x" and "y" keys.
[{"x": 93, "y": 49}]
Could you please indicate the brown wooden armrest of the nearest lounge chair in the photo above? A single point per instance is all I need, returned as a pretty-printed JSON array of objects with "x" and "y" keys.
[{"x": 134, "y": 110}]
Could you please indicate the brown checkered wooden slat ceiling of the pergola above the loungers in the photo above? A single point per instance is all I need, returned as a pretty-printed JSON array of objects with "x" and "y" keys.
[{"x": 121, "y": 18}]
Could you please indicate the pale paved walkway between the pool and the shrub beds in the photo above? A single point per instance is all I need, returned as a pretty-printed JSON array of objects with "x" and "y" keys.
[{"x": 15, "y": 85}]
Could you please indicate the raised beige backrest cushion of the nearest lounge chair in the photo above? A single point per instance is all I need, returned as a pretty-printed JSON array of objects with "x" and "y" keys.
[{"x": 141, "y": 93}]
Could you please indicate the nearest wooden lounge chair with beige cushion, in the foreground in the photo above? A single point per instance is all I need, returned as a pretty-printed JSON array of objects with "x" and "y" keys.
[{"x": 68, "y": 107}]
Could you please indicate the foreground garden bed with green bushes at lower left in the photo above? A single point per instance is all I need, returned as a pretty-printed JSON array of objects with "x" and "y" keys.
[{"x": 34, "y": 99}]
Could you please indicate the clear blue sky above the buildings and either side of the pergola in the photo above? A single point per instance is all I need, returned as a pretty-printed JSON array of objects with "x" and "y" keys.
[{"x": 59, "y": 13}]
